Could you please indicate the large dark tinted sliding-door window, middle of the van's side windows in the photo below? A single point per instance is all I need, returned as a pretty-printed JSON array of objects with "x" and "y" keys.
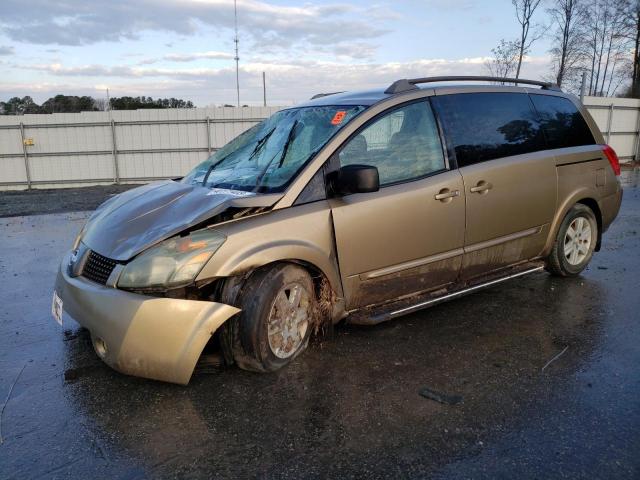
[{"x": 484, "y": 126}]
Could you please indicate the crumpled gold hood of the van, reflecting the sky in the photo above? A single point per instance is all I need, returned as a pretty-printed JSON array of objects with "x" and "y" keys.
[{"x": 132, "y": 221}]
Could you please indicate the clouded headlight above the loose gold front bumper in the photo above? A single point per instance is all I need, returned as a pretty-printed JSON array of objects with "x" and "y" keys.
[{"x": 172, "y": 263}]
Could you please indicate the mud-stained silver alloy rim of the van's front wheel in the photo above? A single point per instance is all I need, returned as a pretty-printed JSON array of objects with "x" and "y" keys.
[{"x": 288, "y": 320}]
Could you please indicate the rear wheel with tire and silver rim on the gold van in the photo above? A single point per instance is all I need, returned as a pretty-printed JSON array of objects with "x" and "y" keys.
[{"x": 572, "y": 252}]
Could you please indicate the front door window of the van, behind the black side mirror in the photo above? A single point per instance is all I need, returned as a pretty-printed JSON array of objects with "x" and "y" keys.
[{"x": 403, "y": 144}]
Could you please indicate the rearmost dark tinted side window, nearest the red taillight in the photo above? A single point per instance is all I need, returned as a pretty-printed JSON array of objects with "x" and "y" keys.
[{"x": 562, "y": 123}]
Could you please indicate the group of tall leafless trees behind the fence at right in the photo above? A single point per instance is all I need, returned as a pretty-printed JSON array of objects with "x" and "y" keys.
[{"x": 599, "y": 39}]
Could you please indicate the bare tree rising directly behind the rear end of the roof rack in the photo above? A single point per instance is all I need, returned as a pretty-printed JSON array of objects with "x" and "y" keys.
[{"x": 568, "y": 19}]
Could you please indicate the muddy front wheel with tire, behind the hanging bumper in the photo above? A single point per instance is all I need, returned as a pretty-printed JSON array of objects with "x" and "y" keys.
[{"x": 272, "y": 328}]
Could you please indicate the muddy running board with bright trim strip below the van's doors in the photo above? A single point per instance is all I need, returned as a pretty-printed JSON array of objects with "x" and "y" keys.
[{"x": 390, "y": 313}]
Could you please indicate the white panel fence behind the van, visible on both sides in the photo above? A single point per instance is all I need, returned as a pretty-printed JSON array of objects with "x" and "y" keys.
[{"x": 71, "y": 149}]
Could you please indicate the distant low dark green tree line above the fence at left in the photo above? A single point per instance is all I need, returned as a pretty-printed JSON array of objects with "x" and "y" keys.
[{"x": 75, "y": 104}]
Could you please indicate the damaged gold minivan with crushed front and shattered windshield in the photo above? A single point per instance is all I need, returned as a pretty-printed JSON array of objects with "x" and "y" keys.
[{"x": 361, "y": 206}]
